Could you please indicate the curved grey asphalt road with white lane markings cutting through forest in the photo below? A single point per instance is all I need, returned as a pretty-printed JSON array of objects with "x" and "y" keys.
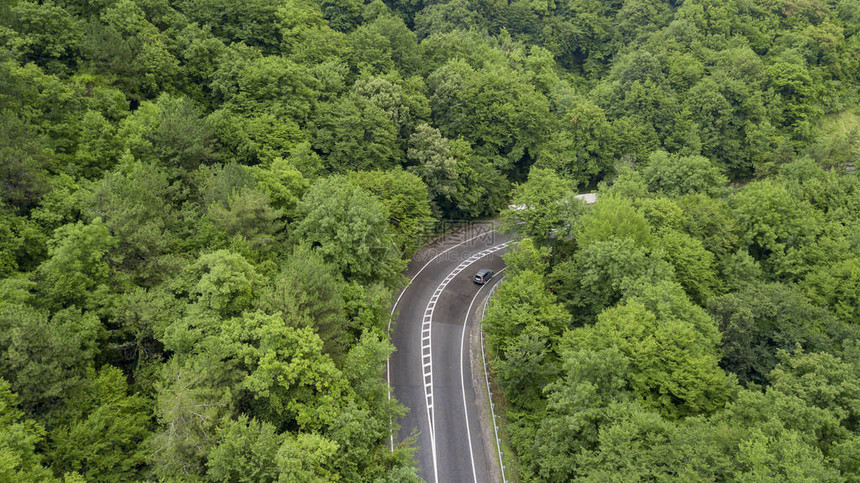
[{"x": 430, "y": 370}]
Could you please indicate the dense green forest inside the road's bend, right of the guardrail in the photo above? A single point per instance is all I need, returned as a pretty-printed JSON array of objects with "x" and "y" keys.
[{"x": 681, "y": 330}]
